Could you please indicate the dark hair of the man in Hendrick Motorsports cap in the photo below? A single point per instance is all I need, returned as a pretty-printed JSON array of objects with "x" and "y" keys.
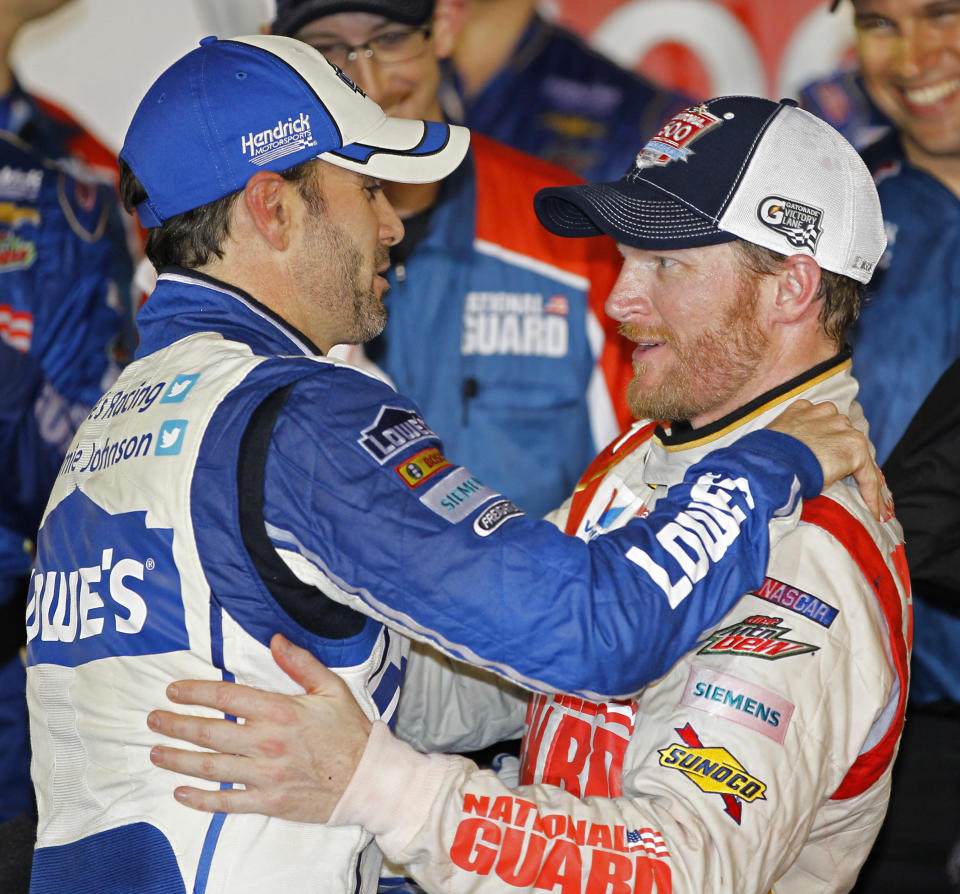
[{"x": 192, "y": 238}]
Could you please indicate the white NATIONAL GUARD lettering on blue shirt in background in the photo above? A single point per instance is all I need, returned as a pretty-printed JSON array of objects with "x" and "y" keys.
[{"x": 515, "y": 323}]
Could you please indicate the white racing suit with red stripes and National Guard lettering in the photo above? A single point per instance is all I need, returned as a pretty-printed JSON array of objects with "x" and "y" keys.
[{"x": 760, "y": 761}]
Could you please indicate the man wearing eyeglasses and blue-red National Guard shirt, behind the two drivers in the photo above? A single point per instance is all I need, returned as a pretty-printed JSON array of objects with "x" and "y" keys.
[{"x": 496, "y": 328}]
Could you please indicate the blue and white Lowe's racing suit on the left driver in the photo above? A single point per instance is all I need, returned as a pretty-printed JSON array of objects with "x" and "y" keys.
[{"x": 232, "y": 484}]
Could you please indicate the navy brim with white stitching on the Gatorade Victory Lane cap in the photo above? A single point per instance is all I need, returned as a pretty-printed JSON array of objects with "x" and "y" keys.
[{"x": 632, "y": 213}]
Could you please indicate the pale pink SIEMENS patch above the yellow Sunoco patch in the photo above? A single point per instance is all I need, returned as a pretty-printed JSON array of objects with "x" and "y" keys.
[{"x": 740, "y": 701}]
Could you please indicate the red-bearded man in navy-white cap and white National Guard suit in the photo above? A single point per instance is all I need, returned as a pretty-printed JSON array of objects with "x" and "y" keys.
[{"x": 760, "y": 760}]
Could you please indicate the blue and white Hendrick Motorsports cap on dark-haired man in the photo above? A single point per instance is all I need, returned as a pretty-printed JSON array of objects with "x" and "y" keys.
[{"x": 232, "y": 107}]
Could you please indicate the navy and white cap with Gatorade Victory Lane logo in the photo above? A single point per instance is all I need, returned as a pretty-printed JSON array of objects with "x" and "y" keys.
[{"x": 736, "y": 167}]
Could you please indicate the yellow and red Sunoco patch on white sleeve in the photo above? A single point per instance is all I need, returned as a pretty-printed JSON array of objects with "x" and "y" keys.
[{"x": 713, "y": 770}]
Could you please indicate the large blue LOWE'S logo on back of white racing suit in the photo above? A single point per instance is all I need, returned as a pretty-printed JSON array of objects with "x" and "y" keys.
[{"x": 102, "y": 585}]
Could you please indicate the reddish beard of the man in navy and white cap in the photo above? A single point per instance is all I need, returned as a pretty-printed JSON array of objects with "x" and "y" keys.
[{"x": 708, "y": 370}]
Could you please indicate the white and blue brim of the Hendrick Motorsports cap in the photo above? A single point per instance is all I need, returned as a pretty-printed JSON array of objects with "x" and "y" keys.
[{"x": 405, "y": 151}]
